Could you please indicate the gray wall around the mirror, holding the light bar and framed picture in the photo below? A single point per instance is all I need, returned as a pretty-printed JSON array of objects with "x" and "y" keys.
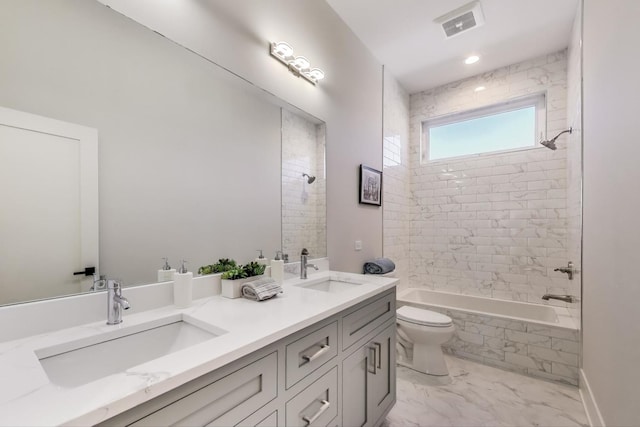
[{"x": 235, "y": 34}]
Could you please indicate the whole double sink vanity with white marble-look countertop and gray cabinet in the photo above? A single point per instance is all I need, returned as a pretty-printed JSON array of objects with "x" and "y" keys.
[{"x": 321, "y": 353}]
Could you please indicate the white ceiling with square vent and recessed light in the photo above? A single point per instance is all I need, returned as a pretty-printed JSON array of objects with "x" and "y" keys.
[{"x": 403, "y": 36}]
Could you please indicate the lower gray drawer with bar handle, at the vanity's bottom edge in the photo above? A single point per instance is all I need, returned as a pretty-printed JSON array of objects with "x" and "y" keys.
[{"x": 316, "y": 405}]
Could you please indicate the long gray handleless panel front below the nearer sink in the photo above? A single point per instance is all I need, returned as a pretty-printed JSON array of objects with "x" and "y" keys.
[{"x": 224, "y": 402}]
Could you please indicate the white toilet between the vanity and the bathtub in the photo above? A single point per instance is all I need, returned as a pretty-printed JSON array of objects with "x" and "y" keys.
[{"x": 427, "y": 331}]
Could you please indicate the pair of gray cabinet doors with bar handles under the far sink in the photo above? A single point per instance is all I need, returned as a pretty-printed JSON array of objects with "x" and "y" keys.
[{"x": 369, "y": 380}]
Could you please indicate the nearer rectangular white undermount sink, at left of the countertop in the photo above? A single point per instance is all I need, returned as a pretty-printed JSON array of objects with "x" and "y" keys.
[{"x": 79, "y": 362}]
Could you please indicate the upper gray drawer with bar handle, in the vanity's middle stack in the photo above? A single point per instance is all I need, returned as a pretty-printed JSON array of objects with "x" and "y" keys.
[{"x": 308, "y": 353}]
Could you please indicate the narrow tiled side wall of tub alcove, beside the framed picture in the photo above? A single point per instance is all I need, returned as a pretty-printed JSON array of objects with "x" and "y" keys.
[{"x": 396, "y": 189}]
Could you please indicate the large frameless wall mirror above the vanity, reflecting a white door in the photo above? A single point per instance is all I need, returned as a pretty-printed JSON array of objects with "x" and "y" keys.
[{"x": 192, "y": 162}]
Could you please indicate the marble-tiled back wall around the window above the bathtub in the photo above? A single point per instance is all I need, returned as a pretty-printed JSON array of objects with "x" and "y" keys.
[{"x": 493, "y": 225}]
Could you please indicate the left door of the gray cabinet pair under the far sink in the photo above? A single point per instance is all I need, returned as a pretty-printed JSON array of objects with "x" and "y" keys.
[{"x": 355, "y": 407}]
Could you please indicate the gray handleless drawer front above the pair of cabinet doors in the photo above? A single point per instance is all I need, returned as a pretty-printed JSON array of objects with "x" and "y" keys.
[{"x": 367, "y": 318}]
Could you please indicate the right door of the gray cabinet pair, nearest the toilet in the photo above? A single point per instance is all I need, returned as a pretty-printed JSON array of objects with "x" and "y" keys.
[{"x": 381, "y": 385}]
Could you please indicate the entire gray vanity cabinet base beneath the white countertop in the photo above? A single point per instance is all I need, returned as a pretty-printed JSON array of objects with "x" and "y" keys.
[{"x": 338, "y": 371}]
